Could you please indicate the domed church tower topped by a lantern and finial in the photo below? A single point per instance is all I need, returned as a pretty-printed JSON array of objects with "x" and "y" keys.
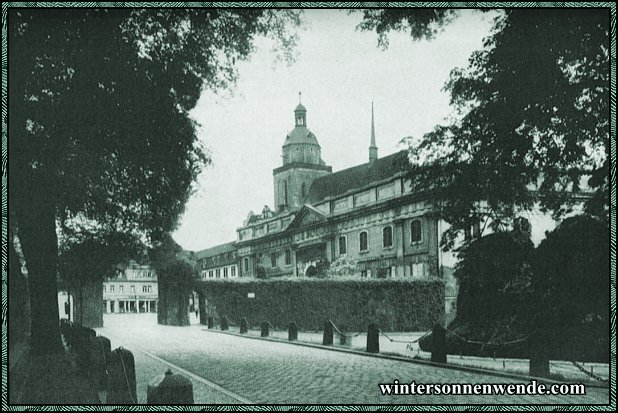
[{"x": 302, "y": 163}]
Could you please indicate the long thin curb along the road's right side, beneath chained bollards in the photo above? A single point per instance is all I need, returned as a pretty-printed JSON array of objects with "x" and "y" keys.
[{"x": 475, "y": 370}]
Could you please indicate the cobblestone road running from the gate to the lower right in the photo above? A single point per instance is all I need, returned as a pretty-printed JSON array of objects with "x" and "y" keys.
[{"x": 281, "y": 373}]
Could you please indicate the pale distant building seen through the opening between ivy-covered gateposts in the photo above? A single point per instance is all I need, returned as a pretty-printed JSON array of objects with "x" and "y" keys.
[{"x": 133, "y": 290}]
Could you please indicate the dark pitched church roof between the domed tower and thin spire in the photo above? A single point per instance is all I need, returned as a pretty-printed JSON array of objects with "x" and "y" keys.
[{"x": 356, "y": 177}]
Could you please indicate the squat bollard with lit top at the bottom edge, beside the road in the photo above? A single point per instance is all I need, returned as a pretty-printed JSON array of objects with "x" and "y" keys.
[{"x": 170, "y": 388}]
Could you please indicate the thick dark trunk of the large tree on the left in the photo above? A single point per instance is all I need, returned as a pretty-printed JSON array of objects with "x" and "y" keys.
[{"x": 37, "y": 234}]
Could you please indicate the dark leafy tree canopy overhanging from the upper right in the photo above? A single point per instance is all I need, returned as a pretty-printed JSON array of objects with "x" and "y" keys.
[{"x": 532, "y": 112}]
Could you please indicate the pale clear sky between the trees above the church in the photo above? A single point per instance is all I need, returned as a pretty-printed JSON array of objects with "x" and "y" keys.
[{"x": 340, "y": 71}]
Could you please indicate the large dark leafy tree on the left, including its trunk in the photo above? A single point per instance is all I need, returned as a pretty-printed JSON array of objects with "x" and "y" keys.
[{"x": 99, "y": 128}]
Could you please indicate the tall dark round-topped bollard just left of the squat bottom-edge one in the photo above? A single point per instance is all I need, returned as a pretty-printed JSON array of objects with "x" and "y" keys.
[{"x": 121, "y": 372}]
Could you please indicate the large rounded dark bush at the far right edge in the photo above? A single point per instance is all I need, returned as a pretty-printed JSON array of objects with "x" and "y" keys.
[{"x": 571, "y": 271}]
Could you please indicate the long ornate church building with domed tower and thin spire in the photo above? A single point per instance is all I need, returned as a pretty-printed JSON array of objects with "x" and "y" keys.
[{"x": 367, "y": 214}]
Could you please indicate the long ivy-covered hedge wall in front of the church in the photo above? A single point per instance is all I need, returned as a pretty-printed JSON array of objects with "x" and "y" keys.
[{"x": 394, "y": 305}]
